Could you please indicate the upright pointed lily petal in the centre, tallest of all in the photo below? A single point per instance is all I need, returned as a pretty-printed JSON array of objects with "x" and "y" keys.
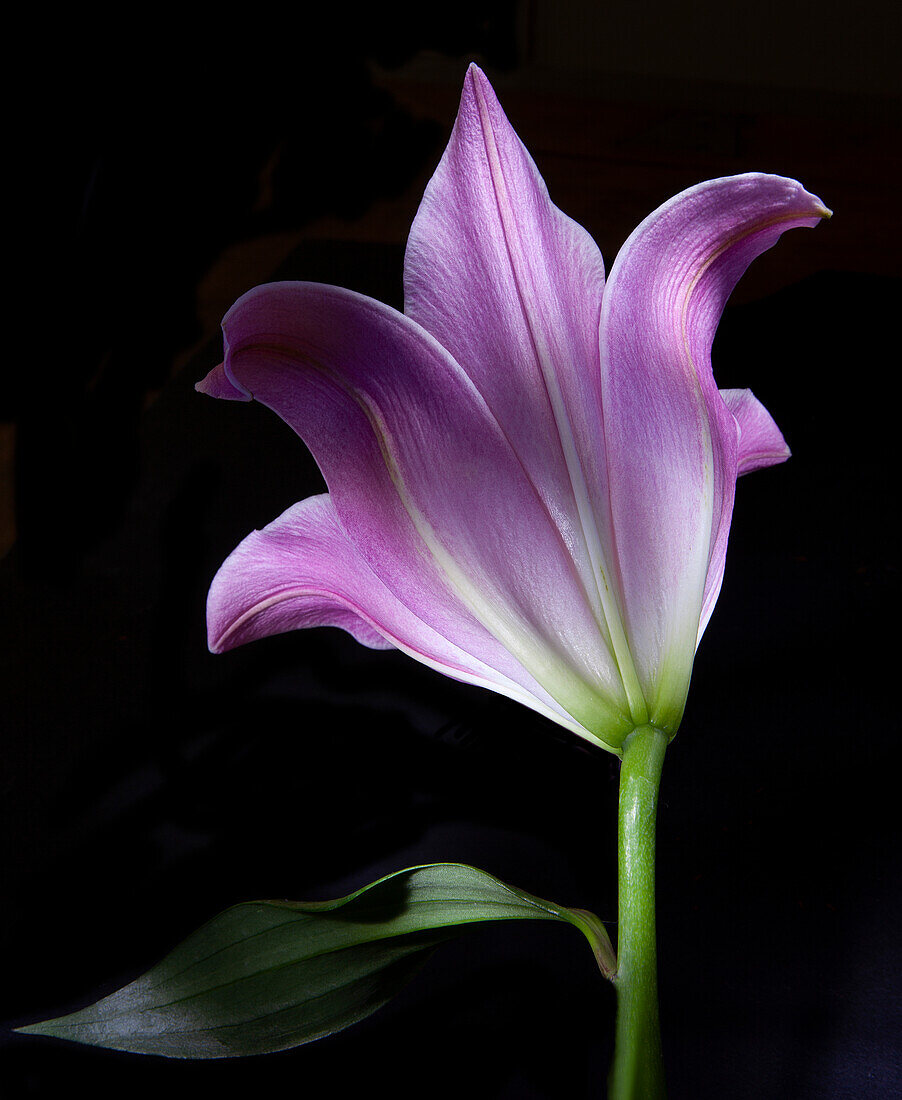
[{"x": 513, "y": 289}]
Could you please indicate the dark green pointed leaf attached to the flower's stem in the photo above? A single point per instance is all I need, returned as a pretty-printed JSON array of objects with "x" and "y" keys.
[{"x": 270, "y": 975}]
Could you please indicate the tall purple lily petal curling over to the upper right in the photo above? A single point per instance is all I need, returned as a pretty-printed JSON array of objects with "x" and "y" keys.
[{"x": 674, "y": 448}]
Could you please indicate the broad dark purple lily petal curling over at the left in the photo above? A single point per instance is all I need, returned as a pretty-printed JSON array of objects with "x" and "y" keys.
[{"x": 427, "y": 488}]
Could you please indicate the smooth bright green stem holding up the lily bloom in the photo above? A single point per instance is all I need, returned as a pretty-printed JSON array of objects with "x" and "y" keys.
[{"x": 639, "y": 1071}]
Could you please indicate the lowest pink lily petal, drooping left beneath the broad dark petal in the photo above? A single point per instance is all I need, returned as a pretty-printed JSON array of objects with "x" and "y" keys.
[{"x": 303, "y": 570}]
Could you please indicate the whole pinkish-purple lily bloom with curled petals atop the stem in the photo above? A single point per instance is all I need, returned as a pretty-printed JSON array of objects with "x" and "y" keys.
[{"x": 531, "y": 470}]
